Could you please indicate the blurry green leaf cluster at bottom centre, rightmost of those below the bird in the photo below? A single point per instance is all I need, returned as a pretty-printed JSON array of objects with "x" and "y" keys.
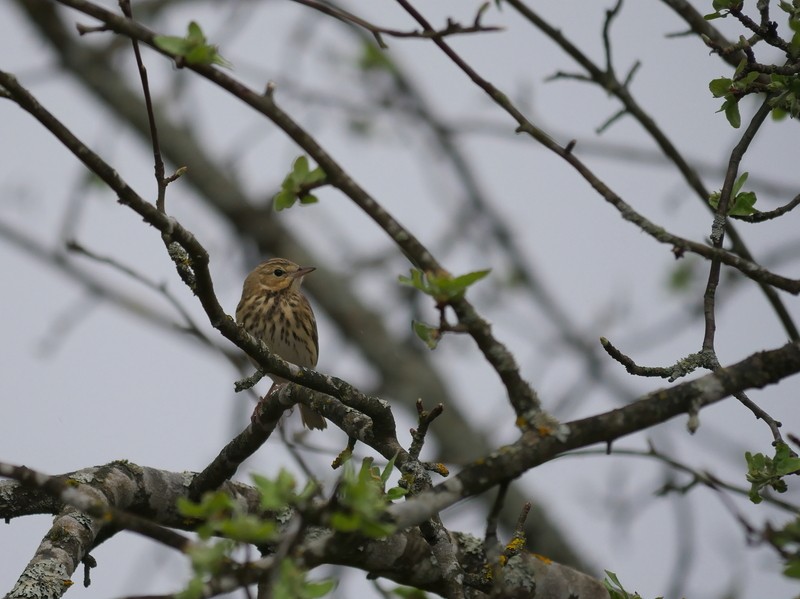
[{"x": 361, "y": 500}]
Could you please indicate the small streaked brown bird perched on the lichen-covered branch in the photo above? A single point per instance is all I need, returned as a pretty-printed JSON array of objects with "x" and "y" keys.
[{"x": 274, "y": 310}]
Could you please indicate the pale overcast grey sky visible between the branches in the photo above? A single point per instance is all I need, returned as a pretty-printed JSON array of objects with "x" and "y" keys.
[{"x": 84, "y": 382}]
